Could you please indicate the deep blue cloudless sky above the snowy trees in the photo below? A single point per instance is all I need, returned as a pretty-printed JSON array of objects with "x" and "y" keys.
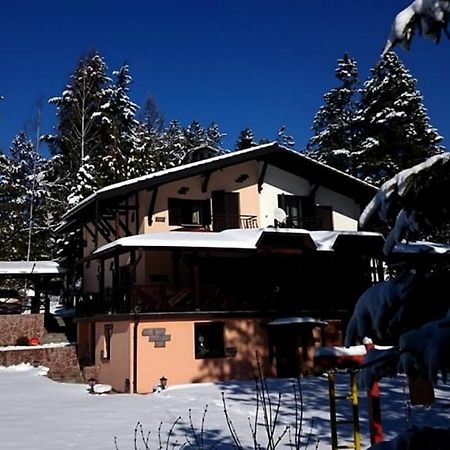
[{"x": 256, "y": 63}]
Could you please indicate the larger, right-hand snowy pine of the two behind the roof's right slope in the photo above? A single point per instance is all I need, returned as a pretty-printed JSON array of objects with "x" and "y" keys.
[{"x": 393, "y": 124}]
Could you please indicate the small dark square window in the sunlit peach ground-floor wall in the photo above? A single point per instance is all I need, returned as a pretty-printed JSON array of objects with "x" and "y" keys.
[{"x": 209, "y": 340}]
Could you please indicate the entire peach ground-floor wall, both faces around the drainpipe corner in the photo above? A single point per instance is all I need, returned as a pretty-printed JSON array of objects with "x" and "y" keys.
[{"x": 176, "y": 361}]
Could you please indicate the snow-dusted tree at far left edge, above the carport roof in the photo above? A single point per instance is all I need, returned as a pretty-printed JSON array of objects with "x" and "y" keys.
[{"x": 23, "y": 202}]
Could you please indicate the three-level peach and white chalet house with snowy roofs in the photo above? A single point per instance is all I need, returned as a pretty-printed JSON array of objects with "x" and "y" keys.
[{"x": 190, "y": 271}]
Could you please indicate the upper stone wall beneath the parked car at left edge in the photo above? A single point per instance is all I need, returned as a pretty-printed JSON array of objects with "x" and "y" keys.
[{"x": 15, "y": 326}]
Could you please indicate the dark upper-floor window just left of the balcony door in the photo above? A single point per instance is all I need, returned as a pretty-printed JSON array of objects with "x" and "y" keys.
[{"x": 189, "y": 212}]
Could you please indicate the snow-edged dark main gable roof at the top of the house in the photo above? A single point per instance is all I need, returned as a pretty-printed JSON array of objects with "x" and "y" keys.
[{"x": 273, "y": 150}]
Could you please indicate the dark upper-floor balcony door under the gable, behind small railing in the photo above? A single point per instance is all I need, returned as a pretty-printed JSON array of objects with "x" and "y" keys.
[{"x": 226, "y": 210}]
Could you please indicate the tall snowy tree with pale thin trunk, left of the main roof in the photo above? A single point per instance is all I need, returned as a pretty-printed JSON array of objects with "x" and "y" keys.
[{"x": 79, "y": 138}]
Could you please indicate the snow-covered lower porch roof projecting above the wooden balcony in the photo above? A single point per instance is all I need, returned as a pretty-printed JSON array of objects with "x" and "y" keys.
[{"x": 237, "y": 239}]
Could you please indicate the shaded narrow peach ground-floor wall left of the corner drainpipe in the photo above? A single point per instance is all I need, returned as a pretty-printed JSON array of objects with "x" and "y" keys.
[{"x": 119, "y": 367}]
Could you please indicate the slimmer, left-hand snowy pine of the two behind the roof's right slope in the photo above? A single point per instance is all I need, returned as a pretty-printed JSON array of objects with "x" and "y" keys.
[{"x": 333, "y": 142}]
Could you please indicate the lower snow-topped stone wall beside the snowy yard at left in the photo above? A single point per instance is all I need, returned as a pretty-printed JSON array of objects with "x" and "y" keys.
[{"x": 62, "y": 361}]
